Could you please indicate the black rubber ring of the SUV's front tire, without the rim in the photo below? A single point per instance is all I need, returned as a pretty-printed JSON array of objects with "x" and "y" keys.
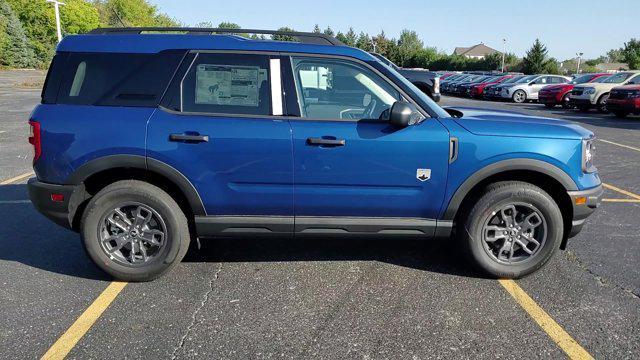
[{"x": 495, "y": 200}]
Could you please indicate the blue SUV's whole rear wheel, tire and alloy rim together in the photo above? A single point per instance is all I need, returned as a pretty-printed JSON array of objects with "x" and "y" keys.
[{"x": 161, "y": 237}]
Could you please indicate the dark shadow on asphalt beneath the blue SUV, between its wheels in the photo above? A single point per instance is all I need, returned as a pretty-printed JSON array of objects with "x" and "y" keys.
[{"x": 439, "y": 256}]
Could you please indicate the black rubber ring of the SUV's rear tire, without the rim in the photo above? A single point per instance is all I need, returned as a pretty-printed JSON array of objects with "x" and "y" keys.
[{"x": 105, "y": 202}]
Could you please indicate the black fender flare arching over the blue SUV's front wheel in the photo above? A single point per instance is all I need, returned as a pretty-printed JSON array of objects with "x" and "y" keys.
[{"x": 504, "y": 166}]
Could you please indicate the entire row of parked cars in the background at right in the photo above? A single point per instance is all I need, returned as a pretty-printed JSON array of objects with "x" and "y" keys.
[{"x": 617, "y": 93}]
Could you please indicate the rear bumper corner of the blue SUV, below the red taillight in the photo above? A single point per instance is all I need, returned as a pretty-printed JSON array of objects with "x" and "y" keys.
[{"x": 60, "y": 212}]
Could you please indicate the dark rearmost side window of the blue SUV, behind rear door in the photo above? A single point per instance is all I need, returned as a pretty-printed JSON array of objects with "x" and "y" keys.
[{"x": 116, "y": 79}]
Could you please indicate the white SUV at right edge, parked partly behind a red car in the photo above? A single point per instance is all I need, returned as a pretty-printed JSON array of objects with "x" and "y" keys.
[{"x": 596, "y": 94}]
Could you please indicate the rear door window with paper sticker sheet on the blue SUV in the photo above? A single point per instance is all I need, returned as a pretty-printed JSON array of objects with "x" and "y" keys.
[{"x": 227, "y": 84}]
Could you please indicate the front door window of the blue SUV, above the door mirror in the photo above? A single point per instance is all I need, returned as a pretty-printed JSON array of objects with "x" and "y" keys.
[{"x": 335, "y": 89}]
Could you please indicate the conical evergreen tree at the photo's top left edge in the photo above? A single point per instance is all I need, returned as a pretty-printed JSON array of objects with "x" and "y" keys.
[{"x": 14, "y": 45}]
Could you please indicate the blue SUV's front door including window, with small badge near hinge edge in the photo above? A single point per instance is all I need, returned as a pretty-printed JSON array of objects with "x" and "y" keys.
[{"x": 348, "y": 160}]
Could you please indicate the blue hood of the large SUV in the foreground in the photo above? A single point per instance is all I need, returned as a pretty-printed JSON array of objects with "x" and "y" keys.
[{"x": 512, "y": 124}]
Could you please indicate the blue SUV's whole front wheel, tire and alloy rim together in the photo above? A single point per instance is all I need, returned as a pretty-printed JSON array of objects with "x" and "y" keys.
[{"x": 498, "y": 197}]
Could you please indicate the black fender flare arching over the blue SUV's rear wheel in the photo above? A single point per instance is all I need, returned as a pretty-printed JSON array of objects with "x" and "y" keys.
[{"x": 143, "y": 163}]
